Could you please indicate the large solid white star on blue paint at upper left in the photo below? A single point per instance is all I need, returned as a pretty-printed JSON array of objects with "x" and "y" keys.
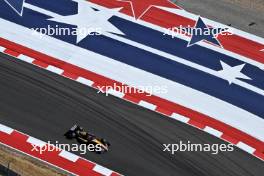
[{"x": 89, "y": 21}]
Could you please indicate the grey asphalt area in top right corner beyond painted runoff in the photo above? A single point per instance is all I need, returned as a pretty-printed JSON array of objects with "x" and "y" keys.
[{"x": 239, "y": 13}]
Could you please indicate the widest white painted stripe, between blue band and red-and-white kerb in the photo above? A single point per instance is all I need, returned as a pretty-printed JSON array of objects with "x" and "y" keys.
[{"x": 180, "y": 94}]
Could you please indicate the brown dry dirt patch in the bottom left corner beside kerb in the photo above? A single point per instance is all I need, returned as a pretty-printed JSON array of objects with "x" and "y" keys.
[{"x": 25, "y": 165}]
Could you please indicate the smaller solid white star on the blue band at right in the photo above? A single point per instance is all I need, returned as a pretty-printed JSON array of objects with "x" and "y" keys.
[{"x": 232, "y": 73}]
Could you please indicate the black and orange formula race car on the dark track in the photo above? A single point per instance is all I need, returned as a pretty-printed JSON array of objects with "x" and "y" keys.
[{"x": 83, "y": 137}]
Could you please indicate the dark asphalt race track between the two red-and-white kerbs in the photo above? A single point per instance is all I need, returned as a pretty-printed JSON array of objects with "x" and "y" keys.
[{"x": 45, "y": 105}]
